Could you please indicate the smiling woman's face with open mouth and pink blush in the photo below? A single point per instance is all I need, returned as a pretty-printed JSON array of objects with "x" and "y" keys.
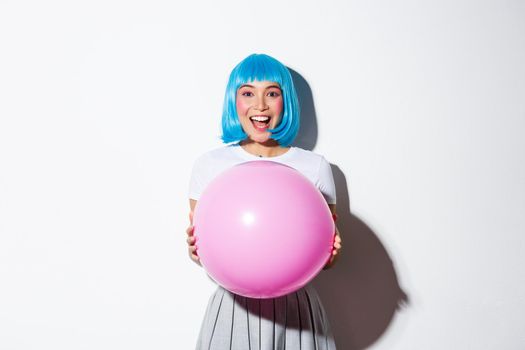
[{"x": 259, "y": 107}]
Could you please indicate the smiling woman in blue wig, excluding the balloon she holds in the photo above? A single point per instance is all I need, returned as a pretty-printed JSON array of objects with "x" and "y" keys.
[{"x": 260, "y": 120}]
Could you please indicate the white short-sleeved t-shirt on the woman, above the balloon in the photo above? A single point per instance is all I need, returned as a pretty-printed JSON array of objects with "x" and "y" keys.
[{"x": 312, "y": 165}]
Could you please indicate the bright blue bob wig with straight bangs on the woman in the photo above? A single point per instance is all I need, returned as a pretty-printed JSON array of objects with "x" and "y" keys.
[{"x": 260, "y": 67}]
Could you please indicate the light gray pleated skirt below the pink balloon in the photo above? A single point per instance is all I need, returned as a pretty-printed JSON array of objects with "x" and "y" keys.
[{"x": 296, "y": 321}]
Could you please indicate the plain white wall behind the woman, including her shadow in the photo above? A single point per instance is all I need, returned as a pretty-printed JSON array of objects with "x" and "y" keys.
[{"x": 419, "y": 105}]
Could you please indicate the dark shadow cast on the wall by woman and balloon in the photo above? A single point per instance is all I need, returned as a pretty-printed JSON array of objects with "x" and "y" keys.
[{"x": 361, "y": 292}]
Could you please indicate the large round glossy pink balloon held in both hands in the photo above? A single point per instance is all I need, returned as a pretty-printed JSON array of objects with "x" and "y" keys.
[{"x": 263, "y": 229}]
